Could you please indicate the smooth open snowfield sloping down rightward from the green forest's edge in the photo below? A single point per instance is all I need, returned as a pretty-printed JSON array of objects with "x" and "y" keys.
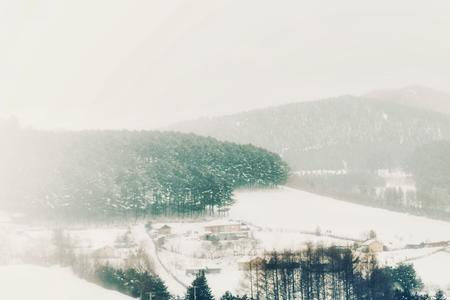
[{"x": 289, "y": 209}]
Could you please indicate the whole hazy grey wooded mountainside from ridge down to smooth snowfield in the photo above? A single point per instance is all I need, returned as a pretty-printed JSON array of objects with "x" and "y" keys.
[{"x": 354, "y": 148}]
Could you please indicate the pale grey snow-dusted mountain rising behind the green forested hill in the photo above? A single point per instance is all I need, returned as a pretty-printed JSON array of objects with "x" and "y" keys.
[{"x": 347, "y": 132}]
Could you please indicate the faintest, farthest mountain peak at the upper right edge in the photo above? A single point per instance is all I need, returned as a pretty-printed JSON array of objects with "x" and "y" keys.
[{"x": 416, "y": 96}]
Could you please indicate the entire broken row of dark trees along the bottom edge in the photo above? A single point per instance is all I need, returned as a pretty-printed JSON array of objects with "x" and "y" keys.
[{"x": 278, "y": 277}]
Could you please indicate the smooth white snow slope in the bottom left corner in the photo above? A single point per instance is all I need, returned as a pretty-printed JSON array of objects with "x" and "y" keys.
[{"x": 24, "y": 282}]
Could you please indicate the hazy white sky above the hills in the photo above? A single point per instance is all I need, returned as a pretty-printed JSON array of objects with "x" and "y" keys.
[{"x": 143, "y": 64}]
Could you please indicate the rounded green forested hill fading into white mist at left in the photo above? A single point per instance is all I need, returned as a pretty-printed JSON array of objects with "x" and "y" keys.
[{"x": 107, "y": 174}]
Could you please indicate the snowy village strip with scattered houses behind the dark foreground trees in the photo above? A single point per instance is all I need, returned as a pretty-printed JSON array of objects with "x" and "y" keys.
[{"x": 225, "y": 249}]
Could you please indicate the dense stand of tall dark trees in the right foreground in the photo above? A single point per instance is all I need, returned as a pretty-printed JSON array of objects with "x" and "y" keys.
[{"x": 329, "y": 273}]
